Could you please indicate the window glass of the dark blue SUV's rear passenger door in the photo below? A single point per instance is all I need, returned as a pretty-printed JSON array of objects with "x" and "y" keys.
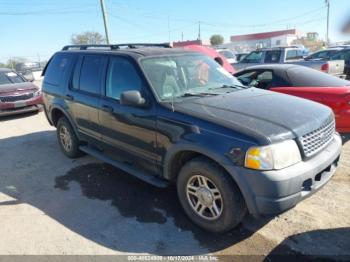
[{"x": 91, "y": 74}]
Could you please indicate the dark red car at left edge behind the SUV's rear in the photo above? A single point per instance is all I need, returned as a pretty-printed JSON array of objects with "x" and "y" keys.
[{"x": 17, "y": 95}]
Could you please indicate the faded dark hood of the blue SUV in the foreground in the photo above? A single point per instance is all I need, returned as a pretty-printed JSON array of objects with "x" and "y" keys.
[{"x": 267, "y": 116}]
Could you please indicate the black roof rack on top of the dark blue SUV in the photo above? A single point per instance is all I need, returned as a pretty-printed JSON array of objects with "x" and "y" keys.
[{"x": 114, "y": 47}]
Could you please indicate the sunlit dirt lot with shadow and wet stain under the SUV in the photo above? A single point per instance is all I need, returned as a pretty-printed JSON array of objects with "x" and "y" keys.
[{"x": 50, "y": 204}]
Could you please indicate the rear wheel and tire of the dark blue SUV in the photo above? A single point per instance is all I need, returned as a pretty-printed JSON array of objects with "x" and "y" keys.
[{"x": 67, "y": 139}]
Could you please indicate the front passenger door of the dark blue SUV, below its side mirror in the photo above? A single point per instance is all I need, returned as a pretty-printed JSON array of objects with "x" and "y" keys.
[{"x": 128, "y": 132}]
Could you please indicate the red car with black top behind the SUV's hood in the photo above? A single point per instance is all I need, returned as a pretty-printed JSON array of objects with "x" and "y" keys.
[{"x": 306, "y": 83}]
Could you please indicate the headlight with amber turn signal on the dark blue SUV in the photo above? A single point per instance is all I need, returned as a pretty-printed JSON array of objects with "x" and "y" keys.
[{"x": 275, "y": 156}]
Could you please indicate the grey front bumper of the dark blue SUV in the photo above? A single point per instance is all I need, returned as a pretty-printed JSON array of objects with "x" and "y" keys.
[{"x": 271, "y": 192}]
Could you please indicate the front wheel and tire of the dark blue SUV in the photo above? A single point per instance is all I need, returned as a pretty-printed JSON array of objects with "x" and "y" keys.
[{"x": 209, "y": 196}]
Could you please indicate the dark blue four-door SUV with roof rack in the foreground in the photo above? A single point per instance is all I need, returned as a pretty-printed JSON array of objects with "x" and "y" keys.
[{"x": 169, "y": 116}]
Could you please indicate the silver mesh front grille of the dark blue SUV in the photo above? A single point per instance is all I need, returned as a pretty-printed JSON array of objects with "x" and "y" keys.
[{"x": 315, "y": 141}]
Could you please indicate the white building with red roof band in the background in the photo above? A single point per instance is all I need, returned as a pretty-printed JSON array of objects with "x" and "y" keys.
[{"x": 249, "y": 42}]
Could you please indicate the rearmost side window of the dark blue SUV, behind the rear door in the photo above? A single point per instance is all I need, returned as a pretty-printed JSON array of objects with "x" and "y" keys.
[{"x": 57, "y": 68}]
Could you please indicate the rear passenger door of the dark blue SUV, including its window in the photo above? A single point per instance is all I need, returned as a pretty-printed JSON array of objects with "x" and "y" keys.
[{"x": 85, "y": 94}]
